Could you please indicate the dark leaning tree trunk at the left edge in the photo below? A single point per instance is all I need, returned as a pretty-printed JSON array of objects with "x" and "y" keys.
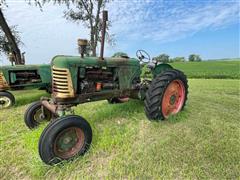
[{"x": 11, "y": 39}]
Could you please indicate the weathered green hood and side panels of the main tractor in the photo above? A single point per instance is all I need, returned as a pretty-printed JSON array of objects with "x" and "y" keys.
[{"x": 125, "y": 68}]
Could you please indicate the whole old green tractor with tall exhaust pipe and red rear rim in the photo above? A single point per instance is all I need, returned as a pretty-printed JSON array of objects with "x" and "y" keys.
[{"x": 79, "y": 79}]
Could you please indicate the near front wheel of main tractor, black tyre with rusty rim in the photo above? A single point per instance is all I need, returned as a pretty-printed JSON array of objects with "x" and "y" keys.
[{"x": 64, "y": 139}]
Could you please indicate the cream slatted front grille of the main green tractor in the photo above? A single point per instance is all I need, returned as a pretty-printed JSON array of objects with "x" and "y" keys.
[{"x": 62, "y": 83}]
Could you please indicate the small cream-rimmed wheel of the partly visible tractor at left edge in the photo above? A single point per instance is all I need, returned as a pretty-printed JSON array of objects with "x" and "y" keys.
[{"x": 6, "y": 99}]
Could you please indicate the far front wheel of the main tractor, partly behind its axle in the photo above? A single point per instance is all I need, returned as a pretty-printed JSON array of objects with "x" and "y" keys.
[{"x": 34, "y": 116}]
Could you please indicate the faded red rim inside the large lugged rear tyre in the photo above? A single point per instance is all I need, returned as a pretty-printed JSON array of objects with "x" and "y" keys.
[{"x": 173, "y": 98}]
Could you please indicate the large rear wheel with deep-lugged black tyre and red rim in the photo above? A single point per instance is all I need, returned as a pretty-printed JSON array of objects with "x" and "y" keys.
[{"x": 166, "y": 95}]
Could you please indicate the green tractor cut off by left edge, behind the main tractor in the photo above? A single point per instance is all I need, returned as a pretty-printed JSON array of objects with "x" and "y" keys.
[{"x": 19, "y": 77}]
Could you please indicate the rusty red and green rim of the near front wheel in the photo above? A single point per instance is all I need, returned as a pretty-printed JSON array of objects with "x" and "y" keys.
[{"x": 69, "y": 142}]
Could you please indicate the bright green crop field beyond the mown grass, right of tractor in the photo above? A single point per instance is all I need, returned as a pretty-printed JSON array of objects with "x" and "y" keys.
[{"x": 210, "y": 69}]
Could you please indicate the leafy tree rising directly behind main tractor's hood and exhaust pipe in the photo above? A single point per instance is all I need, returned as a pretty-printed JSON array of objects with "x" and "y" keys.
[{"x": 88, "y": 12}]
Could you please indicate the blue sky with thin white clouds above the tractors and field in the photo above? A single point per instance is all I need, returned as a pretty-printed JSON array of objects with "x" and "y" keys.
[{"x": 209, "y": 28}]
